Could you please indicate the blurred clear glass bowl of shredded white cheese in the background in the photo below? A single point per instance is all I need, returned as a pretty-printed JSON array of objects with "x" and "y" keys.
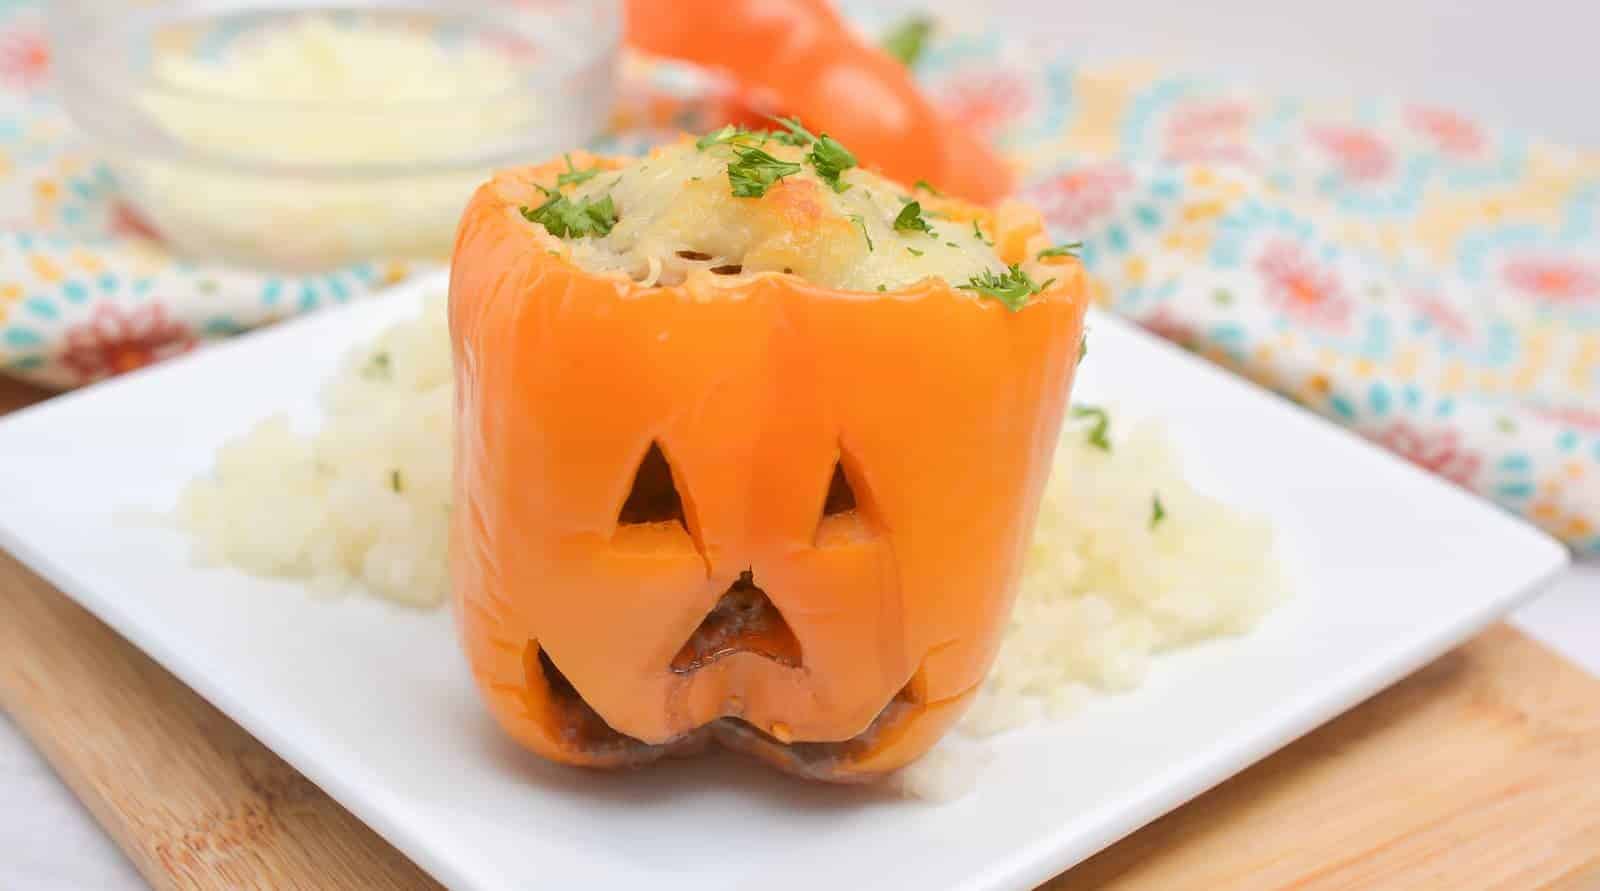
[{"x": 298, "y": 137}]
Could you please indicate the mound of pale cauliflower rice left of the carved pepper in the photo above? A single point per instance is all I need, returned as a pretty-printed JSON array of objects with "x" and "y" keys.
[{"x": 366, "y": 501}]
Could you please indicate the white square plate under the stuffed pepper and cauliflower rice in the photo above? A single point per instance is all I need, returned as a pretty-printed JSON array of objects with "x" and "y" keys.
[{"x": 375, "y": 705}]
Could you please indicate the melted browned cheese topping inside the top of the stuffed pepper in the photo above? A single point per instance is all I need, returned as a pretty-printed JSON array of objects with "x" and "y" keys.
[{"x": 678, "y": 215}]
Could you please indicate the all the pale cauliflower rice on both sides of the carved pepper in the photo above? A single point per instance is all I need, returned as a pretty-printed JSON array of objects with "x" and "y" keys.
[{"x": 1127, "y": 561}]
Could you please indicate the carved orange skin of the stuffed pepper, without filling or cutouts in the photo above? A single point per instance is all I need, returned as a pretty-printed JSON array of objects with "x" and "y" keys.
[{"x": 942, "y": 410}]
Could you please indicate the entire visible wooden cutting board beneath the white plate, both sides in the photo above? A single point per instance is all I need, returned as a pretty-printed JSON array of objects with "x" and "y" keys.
[{"x": 1479, "y": 772}]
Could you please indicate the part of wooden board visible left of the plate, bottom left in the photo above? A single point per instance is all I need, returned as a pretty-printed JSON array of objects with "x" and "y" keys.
[{"x": 193, "y": 799}]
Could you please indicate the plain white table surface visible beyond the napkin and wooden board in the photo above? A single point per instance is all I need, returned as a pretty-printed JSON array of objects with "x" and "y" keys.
[{"x": 1522, "y": 66}]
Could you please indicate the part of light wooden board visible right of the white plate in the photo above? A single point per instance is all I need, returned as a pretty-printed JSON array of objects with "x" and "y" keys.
[{"x": 1479, "y": 772}]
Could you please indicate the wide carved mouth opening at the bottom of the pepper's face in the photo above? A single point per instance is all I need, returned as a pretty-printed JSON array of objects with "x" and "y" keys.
[{"x": 585, "y": 730}]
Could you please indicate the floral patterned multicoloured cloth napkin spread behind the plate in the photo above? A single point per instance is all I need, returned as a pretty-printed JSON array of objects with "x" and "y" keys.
[{"x": 1428, "y": 281}]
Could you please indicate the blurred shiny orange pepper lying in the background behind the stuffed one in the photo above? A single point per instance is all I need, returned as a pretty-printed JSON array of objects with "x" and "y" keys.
[{"x": 804, "y": 54}]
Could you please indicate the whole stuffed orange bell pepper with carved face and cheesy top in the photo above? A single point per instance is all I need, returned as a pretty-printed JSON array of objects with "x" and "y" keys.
[{"x": 750, "y": 444}]
